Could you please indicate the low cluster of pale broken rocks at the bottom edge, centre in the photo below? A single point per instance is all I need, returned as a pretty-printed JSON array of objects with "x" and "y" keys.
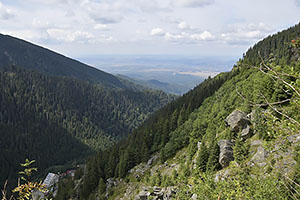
[{"x": 156, "y": 193}]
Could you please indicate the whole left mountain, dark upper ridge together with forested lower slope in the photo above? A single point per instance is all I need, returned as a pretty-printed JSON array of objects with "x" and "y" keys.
[{"x": 55, "y": 110}]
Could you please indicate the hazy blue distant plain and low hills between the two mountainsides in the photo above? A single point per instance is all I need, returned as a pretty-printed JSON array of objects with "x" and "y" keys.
[{"x": 172, "y": 73}]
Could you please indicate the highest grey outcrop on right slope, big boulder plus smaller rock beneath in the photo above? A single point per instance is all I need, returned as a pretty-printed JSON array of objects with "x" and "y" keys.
[{"x": 238, "y": 121}]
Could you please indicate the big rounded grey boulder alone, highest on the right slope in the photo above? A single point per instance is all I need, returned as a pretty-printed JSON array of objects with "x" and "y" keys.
[{"x": 237, "y": 120}]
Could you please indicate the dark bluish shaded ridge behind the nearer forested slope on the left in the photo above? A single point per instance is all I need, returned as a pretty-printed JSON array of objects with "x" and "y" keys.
[{"x": 14, "y": 51}]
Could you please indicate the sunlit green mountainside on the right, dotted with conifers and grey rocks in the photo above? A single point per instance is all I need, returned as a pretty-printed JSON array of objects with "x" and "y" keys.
[{"x": 202, "y": 154}]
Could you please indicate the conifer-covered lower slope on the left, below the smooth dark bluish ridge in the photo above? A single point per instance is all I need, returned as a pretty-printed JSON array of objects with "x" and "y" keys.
[{"x": 58, "y": 119}]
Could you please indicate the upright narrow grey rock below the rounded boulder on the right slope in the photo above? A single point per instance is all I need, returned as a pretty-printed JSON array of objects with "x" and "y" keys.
[{"x": 226, "y": 152}]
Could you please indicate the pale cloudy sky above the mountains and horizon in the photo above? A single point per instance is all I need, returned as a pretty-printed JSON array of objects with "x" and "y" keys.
[{"x": 80, "y": 28}]
